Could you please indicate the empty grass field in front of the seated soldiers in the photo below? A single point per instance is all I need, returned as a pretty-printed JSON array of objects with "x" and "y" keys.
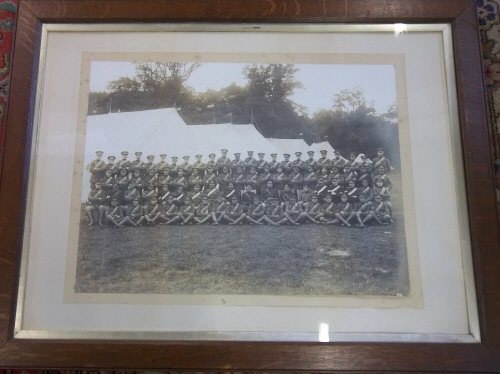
[{"x": 305, "y": 260}]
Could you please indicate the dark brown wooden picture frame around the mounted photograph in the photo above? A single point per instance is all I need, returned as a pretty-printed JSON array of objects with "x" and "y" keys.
[{"x": 230, "y": 355}]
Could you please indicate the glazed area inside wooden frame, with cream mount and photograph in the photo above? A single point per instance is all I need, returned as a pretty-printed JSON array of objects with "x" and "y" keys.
[{"x": 220, "y": 184}]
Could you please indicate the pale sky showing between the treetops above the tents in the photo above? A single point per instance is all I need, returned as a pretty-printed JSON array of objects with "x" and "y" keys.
[{"x": 320, "y": 81}]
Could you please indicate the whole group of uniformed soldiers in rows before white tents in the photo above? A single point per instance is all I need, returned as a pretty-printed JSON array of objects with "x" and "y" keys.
[{"x": 224, "y": 190}]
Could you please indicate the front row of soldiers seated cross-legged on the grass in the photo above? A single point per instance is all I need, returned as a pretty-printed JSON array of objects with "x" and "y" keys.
[{"x": 233, "y": 211}]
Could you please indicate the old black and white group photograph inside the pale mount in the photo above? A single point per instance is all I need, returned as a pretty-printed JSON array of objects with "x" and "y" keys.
[{"x": 234, "y": 178}]
